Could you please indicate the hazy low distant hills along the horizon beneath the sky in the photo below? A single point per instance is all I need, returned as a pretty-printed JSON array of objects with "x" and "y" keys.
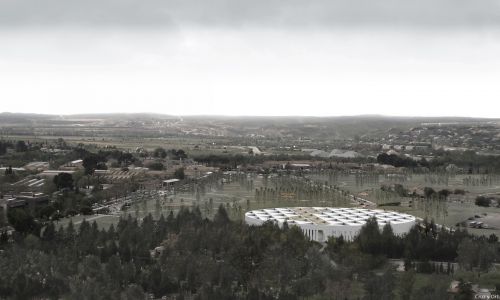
[{"x": 157, "y": 125}]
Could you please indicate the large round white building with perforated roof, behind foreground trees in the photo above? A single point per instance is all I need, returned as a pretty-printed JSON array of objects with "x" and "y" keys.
[{"x": 320, "y": 223}]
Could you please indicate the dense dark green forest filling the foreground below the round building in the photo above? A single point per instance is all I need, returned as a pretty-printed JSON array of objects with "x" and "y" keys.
[{"x": 185, "y": 255}]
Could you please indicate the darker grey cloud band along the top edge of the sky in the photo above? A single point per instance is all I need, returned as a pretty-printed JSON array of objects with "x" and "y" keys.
[{"x": 267, "y": 13}]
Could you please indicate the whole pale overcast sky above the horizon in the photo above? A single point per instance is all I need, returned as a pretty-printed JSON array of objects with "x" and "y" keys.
[{"x": 259, "y": 57}]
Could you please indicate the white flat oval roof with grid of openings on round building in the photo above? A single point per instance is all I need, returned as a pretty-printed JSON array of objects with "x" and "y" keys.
[{"x": 329, "y": 215}]
